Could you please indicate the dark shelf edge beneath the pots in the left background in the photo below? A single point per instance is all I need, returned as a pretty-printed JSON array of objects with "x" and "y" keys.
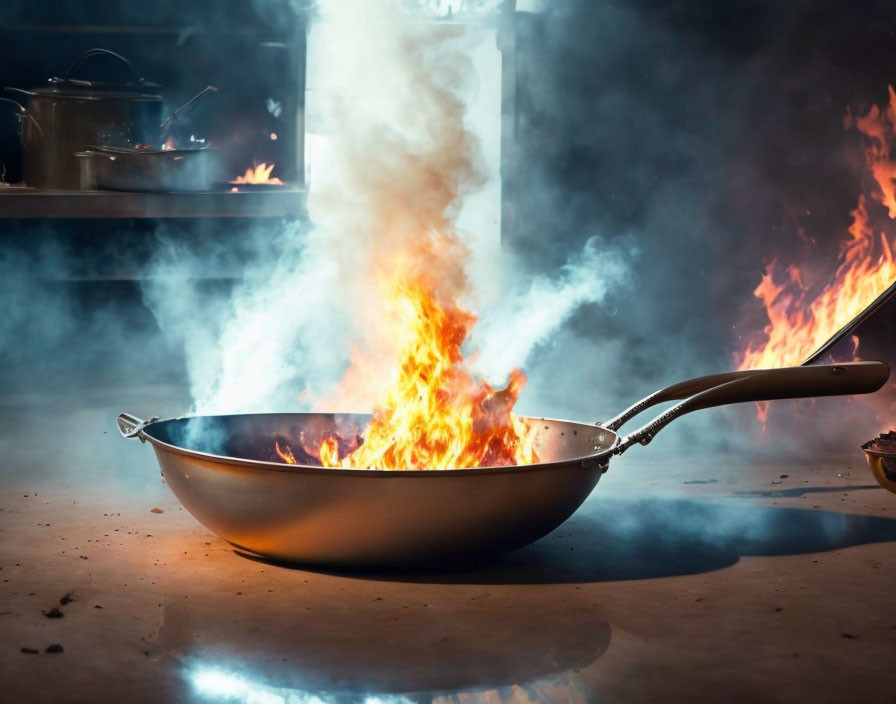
[{"x": 23, "y": 202}]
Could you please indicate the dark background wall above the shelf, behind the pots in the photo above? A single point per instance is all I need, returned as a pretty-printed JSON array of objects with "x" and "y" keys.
[{"x": 251, "y": 52}]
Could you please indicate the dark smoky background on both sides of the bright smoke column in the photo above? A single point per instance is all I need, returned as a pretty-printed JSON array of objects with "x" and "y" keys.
[{"x": 708, "y": 138}]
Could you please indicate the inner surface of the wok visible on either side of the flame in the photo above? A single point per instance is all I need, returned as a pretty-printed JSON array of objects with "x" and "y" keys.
[{"x": 253, "y": 436}]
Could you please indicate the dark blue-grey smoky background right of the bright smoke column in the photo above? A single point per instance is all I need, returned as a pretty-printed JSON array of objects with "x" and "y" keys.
[{"x": 710, "y": 134}]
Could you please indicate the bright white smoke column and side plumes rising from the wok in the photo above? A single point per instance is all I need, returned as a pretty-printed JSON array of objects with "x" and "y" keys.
[{"x": 397, "y": 162}]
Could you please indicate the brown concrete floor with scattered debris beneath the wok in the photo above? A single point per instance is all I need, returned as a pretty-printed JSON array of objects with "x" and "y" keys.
[{"x": 676, "y": 581}]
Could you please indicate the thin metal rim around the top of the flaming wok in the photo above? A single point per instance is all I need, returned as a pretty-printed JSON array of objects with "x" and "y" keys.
[{"x": 593, "y": 460}]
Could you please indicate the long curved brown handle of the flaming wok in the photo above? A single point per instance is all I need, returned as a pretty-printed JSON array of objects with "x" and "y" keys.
[{"x": 769, "y": 385}]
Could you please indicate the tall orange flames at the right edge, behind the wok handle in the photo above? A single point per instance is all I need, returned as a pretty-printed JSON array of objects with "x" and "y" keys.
[{"x": 799, "y": 323}]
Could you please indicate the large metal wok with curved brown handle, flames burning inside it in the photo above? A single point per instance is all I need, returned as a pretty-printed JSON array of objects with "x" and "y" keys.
[{"x": 224, "y": 471}]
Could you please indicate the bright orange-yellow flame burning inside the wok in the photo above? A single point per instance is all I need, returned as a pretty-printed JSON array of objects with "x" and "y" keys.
[{"x": 436, "y": 414}]
